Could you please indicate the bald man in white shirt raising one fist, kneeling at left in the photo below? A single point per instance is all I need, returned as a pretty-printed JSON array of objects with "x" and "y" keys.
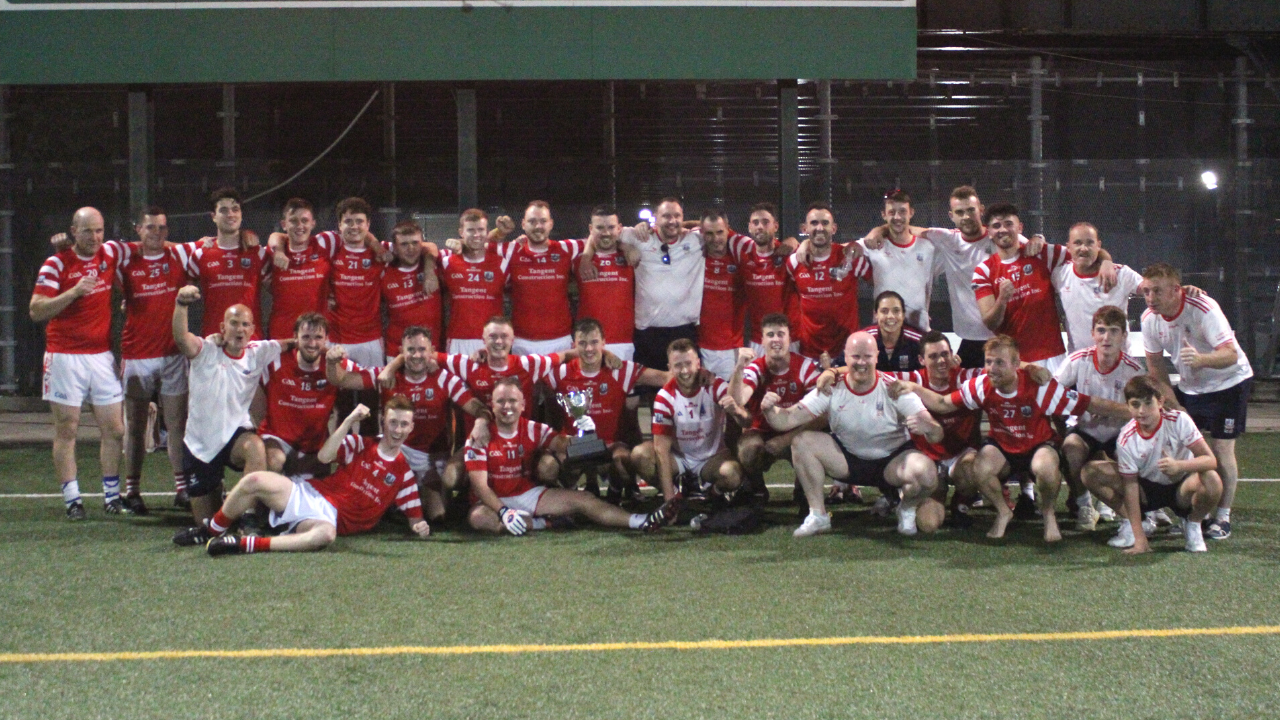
[{"x": 226, "y": 370}]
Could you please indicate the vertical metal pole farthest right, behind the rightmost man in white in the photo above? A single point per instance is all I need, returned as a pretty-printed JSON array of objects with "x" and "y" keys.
[{"x": 1240, "y": 263}]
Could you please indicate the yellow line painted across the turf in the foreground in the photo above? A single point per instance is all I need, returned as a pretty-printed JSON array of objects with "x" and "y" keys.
[{"x": 641, "y": 646}]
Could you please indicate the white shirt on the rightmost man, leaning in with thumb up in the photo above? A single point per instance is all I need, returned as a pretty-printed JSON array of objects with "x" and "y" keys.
[{"x": 1201, "y": 322}]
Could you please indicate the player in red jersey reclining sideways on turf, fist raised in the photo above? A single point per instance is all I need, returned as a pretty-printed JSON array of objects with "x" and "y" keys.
[{"x": 373, "y": 475}]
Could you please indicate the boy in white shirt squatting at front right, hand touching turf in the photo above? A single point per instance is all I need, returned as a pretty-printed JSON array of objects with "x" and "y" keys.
[{"x": 1162, "y": 462}]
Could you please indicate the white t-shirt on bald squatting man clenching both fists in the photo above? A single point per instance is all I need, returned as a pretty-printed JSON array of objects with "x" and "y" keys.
[{"x": 870, "y": 425}]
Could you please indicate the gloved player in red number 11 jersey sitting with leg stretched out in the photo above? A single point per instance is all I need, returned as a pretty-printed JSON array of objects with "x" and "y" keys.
[{"x": 500, "y": 466}]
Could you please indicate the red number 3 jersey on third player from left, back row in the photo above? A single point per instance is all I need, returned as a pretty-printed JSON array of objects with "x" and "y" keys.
[{"x": 227, "y": 277}]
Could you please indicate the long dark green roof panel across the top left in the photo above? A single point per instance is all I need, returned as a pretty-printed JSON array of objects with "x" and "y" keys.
[{"x": 152, "y": 42}]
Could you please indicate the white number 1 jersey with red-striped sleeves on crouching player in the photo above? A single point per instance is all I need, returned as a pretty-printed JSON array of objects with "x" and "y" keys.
[{"x": 697, "y": 425}]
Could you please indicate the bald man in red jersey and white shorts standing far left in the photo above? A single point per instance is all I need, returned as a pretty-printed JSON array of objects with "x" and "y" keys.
[{"x": 74, "y": 295}]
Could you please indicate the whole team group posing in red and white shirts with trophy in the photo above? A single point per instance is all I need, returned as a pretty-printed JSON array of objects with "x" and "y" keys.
[{"x": 501, "y": 381}]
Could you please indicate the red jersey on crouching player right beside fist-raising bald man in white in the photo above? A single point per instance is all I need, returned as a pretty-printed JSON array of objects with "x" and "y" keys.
[{"x": 299, "y": 403}]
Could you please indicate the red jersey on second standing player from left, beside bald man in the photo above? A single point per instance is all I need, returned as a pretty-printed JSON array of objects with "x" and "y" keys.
[{"x": 150, "y": 285}]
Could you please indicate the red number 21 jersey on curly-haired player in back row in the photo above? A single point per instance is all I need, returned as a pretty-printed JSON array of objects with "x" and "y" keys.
[{"x": 355, "y": 281}]
